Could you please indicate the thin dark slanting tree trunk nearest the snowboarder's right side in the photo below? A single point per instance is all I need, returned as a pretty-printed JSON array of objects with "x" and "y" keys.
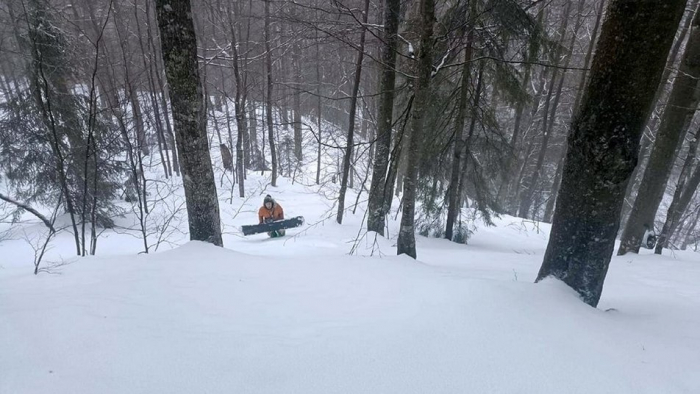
[{"x": 351, "y": 124}]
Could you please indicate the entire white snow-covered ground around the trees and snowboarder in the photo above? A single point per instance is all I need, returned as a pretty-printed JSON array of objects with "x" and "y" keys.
[{"x": 302, "y": 314}]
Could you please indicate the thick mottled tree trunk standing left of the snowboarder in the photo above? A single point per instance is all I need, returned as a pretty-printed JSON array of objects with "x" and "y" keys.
[{"x": 179, "y": 48}]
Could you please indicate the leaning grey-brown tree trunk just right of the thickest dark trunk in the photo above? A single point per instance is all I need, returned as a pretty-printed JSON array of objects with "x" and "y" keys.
[{"x": 681, "y": 106}]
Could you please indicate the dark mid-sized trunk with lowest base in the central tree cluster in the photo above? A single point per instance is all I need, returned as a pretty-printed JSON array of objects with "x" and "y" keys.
[{"x": 406, "y": 243}]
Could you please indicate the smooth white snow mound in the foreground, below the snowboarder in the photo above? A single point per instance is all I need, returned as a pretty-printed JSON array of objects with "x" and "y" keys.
[{"x": 201, "y": 319}]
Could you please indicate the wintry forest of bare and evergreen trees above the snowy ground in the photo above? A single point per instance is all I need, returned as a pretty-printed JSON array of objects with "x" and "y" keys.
[{"x": 507, "y": 107}]
